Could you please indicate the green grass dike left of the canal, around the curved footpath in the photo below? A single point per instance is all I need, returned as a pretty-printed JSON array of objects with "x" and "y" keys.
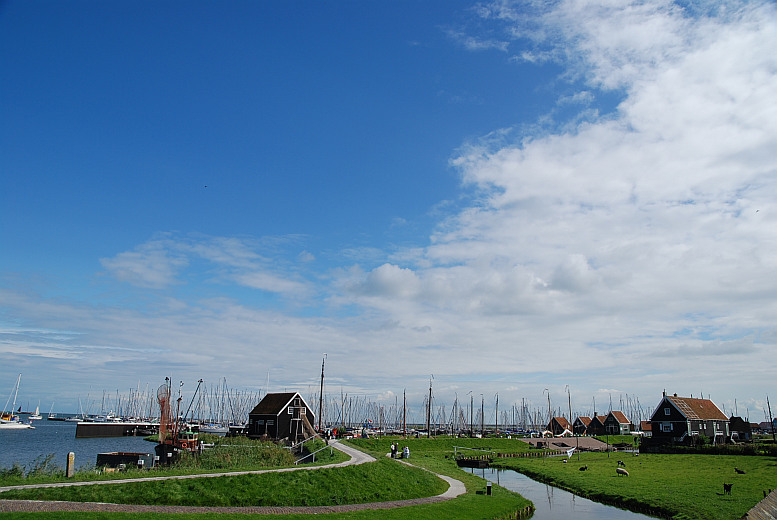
[{"x": 378, "y": 481}]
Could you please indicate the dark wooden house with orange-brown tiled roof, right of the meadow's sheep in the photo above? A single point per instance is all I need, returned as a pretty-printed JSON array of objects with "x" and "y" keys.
[{"x": 684, "y": 419}]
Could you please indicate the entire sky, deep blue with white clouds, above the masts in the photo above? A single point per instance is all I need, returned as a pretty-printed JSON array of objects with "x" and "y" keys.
[{"x": 512, "y": 197}]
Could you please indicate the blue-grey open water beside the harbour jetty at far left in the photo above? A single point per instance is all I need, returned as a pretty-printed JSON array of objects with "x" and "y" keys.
[{"x": 59, "y": 437}]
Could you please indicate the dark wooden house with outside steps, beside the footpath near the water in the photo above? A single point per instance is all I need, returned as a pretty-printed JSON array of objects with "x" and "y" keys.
[{"x": 281, "y": 416}]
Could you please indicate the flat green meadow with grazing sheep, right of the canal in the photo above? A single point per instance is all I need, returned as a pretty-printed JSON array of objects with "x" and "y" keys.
[{"x": 688, "y": 487}]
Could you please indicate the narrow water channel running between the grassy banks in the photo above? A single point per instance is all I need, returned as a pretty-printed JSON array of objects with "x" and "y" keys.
[{"x": 552, "y": 503}]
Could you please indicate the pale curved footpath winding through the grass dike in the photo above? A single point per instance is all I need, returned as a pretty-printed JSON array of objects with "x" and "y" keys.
[{"x": 455, "y": 489}]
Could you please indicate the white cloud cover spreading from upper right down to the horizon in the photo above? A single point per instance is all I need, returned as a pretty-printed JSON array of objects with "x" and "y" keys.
[{"x": 591, "y": 253}]
